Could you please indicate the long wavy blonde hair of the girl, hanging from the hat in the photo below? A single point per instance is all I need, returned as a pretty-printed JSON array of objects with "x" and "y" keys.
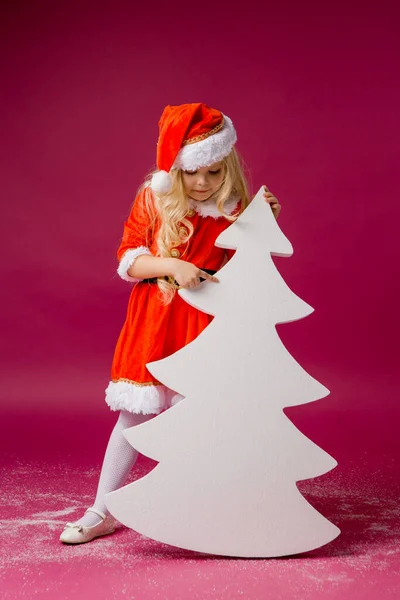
[{"x": 171, "y": 211}]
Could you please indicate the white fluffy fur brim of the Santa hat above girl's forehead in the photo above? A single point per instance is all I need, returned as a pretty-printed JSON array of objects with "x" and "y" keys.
[{"x": 208, "y": 151}]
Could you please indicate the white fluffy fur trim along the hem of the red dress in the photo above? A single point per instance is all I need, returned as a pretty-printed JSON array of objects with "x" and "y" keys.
[{"x": 144, "y": 399}]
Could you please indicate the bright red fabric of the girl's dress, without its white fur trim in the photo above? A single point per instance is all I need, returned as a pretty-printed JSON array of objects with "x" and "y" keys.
[{"x": 153, "y": 330}]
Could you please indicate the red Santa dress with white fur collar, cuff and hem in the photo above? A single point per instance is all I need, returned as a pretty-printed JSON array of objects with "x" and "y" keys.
[{"x": 153, "y": 330}]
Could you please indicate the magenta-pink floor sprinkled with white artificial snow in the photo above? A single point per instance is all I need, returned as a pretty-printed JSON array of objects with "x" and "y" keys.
[{"x": 42, "y": 491}]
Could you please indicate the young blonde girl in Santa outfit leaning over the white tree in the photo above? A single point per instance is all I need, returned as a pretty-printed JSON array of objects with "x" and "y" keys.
[{"x": 167, "y": 243}]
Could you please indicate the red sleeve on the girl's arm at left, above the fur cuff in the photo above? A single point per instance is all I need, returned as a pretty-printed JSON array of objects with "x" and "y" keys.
[{"x": 139, "y": 227}]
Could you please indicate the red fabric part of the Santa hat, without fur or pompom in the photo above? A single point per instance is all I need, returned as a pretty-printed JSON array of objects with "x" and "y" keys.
[{"x": 179, "y": 124}]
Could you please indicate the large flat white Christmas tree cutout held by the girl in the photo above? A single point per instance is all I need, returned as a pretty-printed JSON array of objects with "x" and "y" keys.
[{"x": 229, "y": 458}]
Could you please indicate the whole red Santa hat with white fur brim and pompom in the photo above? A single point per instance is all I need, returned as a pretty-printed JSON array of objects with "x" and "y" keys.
[{"x": 191, "y": 136}]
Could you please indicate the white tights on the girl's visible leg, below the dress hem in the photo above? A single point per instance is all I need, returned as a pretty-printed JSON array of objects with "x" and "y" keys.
[{"x": 117, "y": 464}]
